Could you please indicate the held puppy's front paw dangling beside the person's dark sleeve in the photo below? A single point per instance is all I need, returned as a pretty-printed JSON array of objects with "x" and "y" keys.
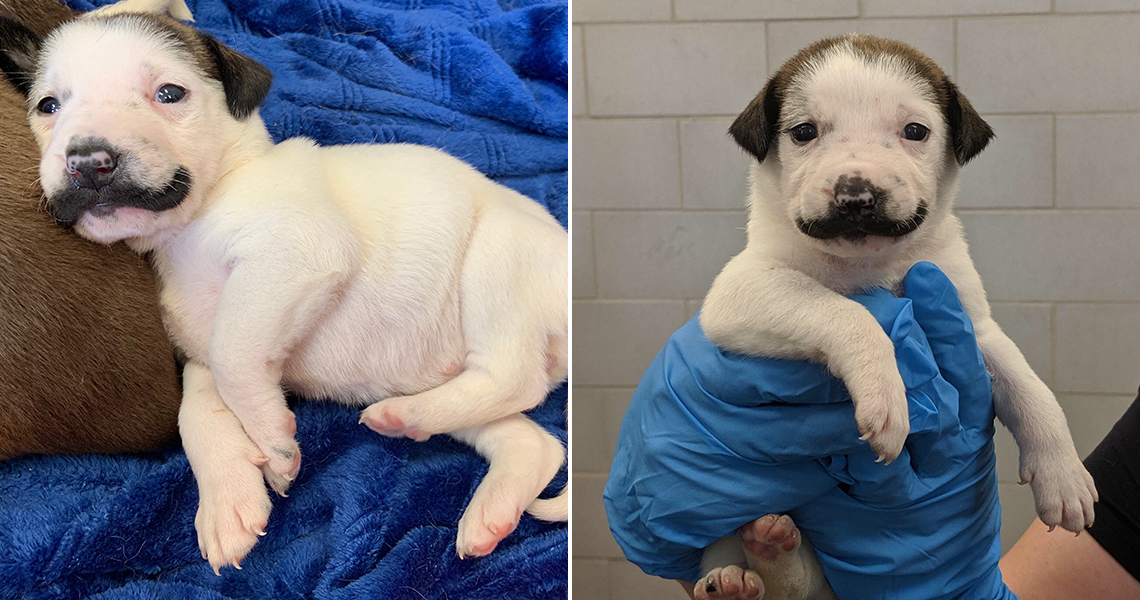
[{"x": 1063, "y": 490}]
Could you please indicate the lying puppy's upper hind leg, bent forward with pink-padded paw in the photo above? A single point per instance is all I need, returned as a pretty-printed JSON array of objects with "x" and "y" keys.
[{"x": 514, "y": 296}]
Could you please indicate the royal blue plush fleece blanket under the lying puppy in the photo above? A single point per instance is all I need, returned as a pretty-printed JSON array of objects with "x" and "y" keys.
[{"x": 369, "y": 517}]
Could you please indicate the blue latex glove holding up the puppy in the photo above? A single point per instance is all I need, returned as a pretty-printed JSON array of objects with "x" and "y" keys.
[{"x": 714, "y": 441}]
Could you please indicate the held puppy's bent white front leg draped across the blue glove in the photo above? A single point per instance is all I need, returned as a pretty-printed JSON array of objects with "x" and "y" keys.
[{"x": 762, "y": 309}]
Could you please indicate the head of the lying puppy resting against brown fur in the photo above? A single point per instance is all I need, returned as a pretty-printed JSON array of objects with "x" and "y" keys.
[{"x": 132, "y": 113}]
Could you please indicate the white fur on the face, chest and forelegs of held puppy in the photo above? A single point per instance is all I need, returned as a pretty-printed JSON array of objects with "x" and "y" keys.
[{"x": 784, "y": 295}]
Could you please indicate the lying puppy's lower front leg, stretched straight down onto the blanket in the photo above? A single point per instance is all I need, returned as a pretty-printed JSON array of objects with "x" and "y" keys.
[{"x": 233, "y": 501}]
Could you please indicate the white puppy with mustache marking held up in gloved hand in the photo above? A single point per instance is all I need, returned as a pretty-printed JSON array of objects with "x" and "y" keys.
[{"x": 858, "y": 143}]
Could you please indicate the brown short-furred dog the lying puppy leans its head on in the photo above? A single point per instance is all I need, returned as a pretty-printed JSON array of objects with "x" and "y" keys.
[{"x": 85, "y": 363}]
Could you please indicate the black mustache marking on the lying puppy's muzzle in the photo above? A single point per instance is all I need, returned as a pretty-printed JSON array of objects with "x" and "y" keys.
[{"x": 69, "y": 205}]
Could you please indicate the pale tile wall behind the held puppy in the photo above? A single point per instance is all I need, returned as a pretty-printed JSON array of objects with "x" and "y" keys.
[{"x": 1052, "y": 209}]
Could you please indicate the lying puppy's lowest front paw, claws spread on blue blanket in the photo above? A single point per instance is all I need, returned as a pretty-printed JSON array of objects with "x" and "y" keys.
[{"x": 233, "y": 513}]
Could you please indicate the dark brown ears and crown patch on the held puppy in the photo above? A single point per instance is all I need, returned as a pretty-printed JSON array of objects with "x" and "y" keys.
[{"x": 758, "y": 127}]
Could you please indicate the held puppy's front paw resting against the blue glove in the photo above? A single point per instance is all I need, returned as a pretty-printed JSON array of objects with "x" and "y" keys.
[{"x": 881, "y": 411}]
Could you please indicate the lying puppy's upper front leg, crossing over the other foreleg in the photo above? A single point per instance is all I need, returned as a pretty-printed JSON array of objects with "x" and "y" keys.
[{"x": 265, "y": 311}]
